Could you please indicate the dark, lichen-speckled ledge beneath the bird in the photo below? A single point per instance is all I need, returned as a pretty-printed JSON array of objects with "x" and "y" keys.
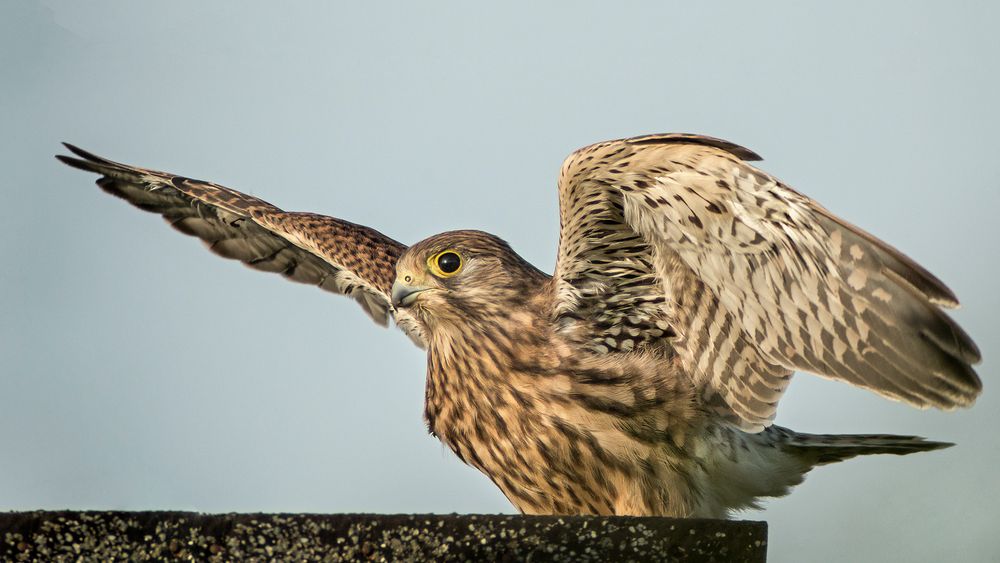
[{"x": 121, "y": 536}]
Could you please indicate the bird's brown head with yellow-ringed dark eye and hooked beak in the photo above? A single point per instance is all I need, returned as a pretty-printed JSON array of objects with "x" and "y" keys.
[{"x": 453, "y": 275}]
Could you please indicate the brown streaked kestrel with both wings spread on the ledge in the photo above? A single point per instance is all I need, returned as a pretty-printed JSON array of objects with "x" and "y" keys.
[{"x": 643, "y": 375}]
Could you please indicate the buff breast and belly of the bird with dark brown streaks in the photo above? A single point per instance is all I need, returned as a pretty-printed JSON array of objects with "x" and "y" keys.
[{"x": 557, "y": 434}]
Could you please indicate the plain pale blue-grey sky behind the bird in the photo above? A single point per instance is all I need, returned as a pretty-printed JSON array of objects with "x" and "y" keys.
[{"x": 141, "y": 372}]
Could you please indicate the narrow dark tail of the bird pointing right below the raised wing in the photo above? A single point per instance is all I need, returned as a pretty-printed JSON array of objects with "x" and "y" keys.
[{"x": 820, "y": 449}]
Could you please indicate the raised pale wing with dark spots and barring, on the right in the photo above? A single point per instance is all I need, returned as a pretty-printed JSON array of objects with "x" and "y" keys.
[{"x": 676, "y": 236}]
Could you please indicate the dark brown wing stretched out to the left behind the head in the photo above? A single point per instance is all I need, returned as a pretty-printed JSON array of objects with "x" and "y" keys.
[{"x": 335, "y": 255}]
